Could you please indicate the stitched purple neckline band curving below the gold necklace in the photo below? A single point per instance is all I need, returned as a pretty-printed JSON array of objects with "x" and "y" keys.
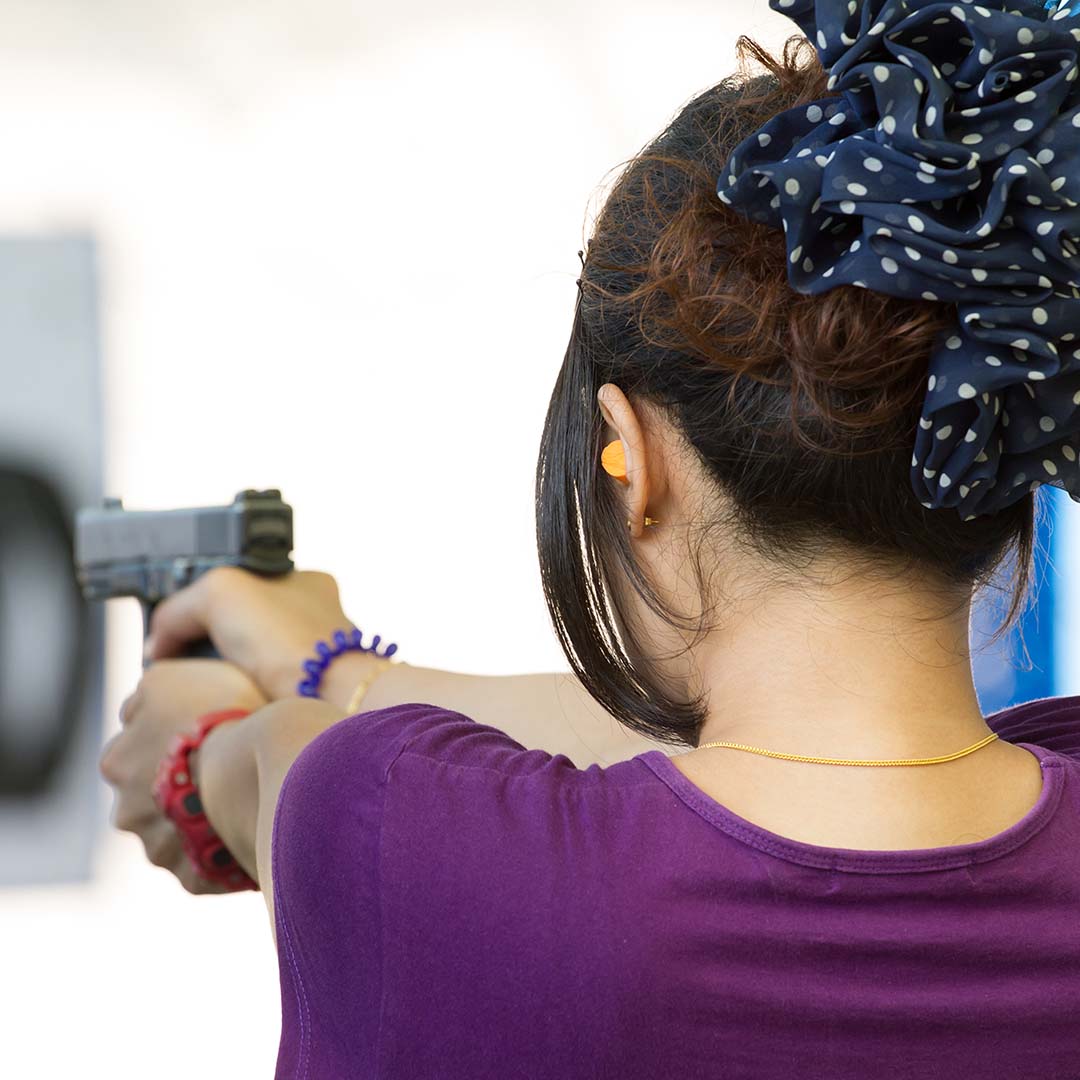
[{"x": 857, "y": 861}]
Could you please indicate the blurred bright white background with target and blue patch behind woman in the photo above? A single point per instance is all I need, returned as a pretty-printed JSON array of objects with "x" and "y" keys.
[{"x": 331, "y": 249}]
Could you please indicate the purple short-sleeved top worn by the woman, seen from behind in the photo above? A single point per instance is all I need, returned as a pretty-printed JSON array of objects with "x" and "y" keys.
[{"x": 452, "y": 906}]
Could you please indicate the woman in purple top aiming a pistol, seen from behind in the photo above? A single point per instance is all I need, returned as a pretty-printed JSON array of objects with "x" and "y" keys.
[{"x": 792, "y": 596}]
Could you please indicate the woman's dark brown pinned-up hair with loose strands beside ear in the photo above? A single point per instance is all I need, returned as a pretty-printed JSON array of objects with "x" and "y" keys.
[{"x": 802, "y": 410}]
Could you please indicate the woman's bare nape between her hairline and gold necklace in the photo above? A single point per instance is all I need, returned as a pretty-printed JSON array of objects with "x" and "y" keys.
[{"x": 848, "y": 676}]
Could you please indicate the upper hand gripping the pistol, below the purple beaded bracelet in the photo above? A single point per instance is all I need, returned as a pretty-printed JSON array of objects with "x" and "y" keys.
[{"x": 266, "y": 626}]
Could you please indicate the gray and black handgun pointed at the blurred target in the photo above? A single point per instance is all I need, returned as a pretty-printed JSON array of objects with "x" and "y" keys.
[{"x": 151, "y": 555}]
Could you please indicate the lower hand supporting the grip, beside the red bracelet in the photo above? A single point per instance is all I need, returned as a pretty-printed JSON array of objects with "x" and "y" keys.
[{"x": 168, "y": 703}]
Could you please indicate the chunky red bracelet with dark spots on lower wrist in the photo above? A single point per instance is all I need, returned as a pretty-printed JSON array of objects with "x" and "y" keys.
[{"x": 177, "y": 796}]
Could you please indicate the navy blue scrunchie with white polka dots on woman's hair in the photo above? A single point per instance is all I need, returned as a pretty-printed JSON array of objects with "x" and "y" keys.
[{"x": 949, "y": 169}]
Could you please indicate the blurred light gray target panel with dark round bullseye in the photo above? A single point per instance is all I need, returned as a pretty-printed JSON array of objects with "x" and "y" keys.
[{"x": 51, "y": 642}]
